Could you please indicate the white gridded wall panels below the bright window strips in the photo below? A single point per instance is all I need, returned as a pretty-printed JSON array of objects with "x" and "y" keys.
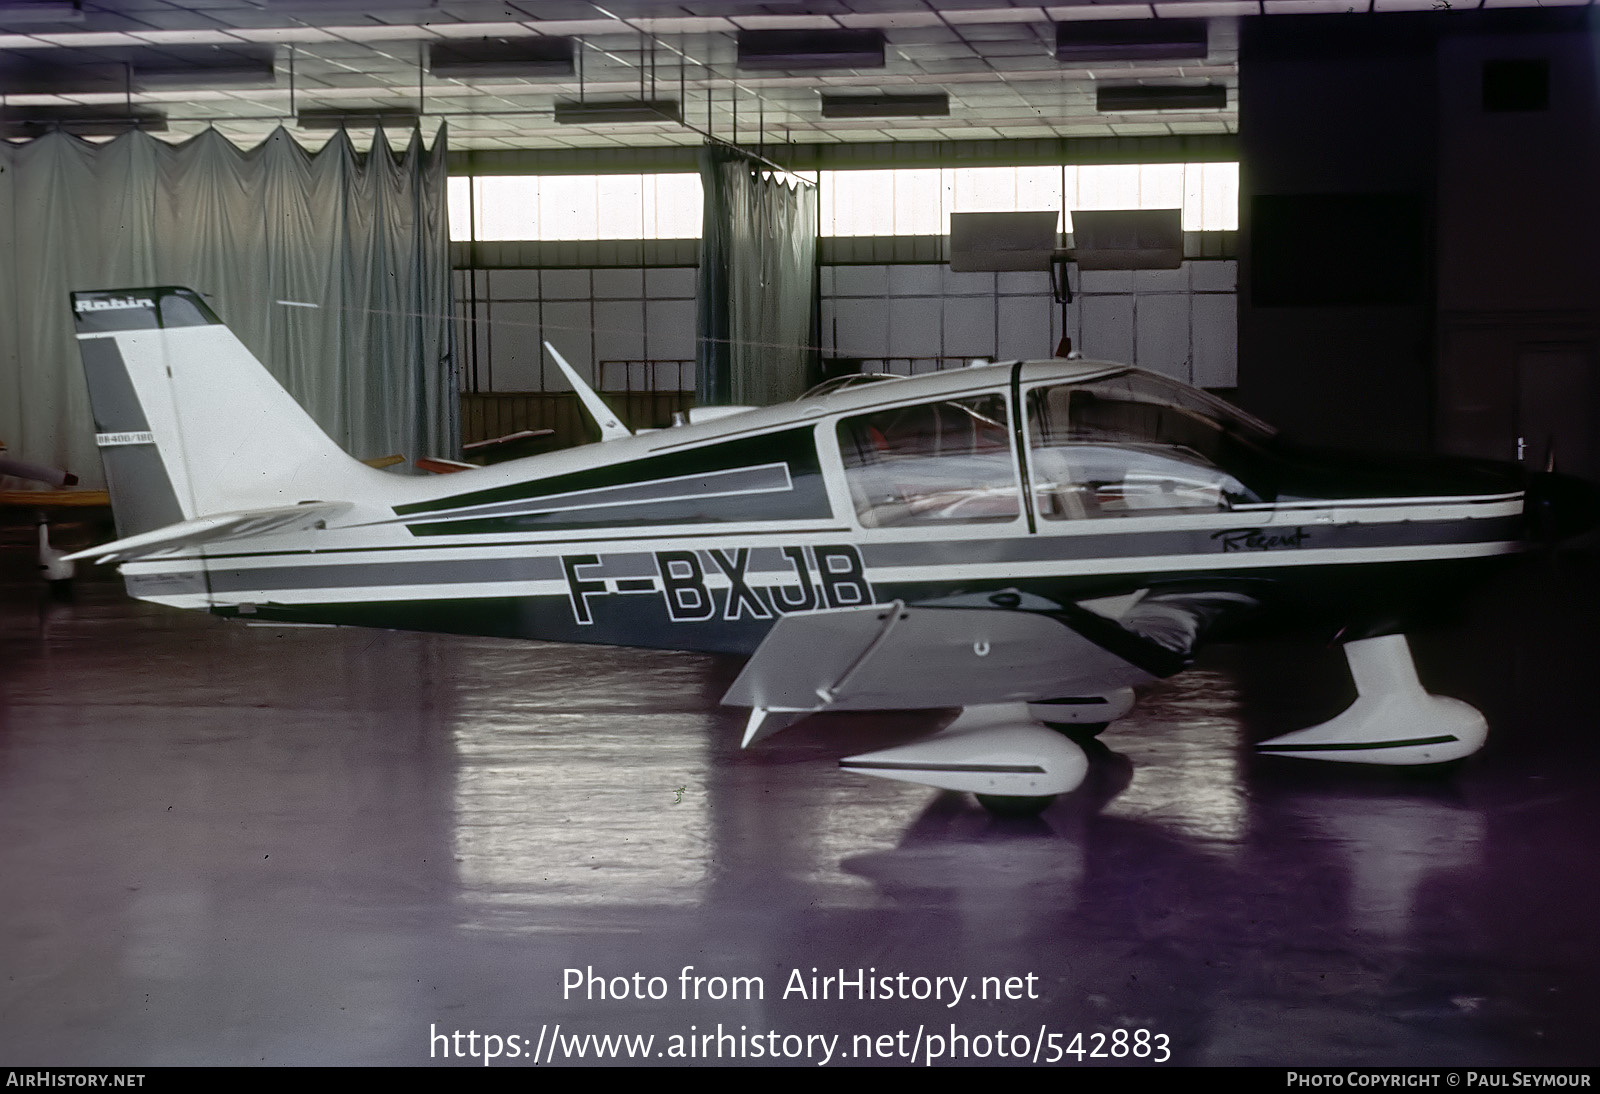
[{"x": 633, "y": 329}]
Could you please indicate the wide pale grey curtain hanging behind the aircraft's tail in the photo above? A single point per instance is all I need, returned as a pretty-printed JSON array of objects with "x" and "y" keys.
[{"x": 359, "y": 246}]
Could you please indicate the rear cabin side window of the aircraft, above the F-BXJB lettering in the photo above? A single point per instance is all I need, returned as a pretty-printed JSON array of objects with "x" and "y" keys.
[{"x": 946, "y": 463}]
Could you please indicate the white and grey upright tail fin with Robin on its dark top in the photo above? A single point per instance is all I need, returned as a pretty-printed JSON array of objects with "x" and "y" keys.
[{"x": 190, "y": 423}]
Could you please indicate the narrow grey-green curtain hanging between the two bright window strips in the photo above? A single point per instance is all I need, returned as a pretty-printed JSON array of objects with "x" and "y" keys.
[{"x": 758, "y": 284}]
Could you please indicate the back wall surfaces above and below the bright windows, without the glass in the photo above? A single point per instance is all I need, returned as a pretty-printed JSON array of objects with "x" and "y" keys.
[{"x": 625, "y": 309}]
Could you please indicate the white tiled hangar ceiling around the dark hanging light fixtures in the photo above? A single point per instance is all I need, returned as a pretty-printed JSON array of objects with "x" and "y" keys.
[{"x": 993, "y": 57}]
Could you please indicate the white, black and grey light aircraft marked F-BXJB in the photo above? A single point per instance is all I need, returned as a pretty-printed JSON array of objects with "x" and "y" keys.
[{"x": 1026, "y": 541}]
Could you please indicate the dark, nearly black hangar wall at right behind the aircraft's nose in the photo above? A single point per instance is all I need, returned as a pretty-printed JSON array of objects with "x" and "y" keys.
[{"x": 1418, "y": 239}]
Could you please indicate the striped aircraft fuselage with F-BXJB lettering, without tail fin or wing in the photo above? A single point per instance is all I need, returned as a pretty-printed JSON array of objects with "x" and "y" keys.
[{"x": 702, "y": 537}]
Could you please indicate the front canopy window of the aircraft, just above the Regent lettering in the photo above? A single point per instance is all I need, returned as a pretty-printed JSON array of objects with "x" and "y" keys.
[{"x": 1113, "y": 450}]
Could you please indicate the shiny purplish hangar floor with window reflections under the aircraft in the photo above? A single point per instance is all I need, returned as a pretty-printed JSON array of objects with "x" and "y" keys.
[{"x": 263, "y": 845}]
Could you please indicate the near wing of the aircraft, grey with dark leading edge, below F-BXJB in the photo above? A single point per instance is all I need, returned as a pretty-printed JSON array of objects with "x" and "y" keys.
[{"x": 897, "y": 657}]
